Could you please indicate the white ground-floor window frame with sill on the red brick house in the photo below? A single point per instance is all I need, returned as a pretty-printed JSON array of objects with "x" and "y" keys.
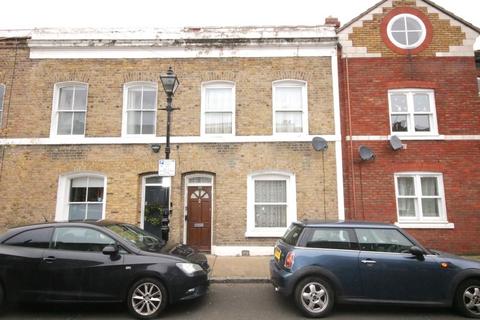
[{"x": 419, "y": 221}]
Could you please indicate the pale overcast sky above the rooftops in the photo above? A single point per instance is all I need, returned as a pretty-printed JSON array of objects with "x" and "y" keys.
[{"x": 194, "y": 13}]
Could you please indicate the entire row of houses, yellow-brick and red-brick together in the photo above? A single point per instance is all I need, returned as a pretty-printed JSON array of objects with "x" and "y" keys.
[{"x": 390, "y": 101}]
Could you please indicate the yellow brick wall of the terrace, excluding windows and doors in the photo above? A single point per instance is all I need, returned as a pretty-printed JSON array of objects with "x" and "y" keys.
[{"x": 30, "y": 173}]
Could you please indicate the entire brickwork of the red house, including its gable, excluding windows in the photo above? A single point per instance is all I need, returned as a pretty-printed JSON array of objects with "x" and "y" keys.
[{"x": 370, "y": 185}]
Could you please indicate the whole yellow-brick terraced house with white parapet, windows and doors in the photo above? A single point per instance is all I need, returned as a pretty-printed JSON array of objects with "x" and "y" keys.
[{"x": 82, "y": 122}]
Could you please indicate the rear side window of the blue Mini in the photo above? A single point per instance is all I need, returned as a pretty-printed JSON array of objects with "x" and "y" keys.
[{"x": 330, "y": 238}]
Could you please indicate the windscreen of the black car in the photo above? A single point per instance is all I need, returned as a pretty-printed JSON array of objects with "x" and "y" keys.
[{"x": 141, "y": 239}]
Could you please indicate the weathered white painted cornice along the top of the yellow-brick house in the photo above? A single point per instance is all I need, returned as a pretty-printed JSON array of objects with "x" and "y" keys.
[{"x": 307, "y": 41}]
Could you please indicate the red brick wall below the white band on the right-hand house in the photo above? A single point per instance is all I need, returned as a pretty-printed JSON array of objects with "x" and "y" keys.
[{"x": 375, "y": 187}]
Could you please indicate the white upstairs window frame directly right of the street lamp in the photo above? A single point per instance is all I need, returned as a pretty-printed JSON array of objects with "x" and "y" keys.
[{"x": 220, "y": 85}]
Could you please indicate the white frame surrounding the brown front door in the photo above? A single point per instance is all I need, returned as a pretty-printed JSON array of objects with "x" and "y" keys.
[{"x": 188, "y": 183}]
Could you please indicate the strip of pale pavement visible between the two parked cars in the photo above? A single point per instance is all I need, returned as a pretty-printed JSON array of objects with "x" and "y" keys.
[{"x": 239, "y": 269}]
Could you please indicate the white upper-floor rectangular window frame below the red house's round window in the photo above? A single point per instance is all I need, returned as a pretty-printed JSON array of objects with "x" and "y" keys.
[{"x": 411, "y": 112}]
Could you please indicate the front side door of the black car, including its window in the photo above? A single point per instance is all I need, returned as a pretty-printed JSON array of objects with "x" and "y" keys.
[{"x": 78, "y": 270}]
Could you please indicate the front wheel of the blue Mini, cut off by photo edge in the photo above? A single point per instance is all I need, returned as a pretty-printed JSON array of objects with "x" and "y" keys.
[{"x": 468, "y": 298}]
